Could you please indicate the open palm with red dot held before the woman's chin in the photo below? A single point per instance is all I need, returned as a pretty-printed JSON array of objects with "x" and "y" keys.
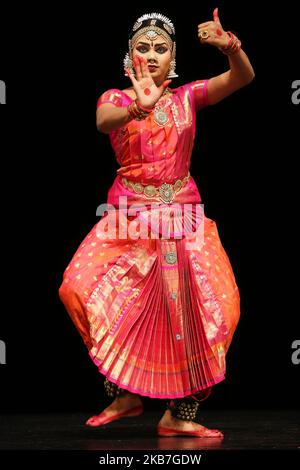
[{"x": 147, "y": 92}]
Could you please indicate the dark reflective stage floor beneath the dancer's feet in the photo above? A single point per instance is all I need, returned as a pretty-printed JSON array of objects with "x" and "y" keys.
[{"x": 243, "y": 429}]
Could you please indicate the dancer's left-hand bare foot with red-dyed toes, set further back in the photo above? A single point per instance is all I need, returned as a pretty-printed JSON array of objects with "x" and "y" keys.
[{"x": 120, "y": 405}]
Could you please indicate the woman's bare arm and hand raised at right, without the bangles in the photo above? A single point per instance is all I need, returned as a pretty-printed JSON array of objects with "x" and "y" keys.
[{"x": 241, "y": 72}]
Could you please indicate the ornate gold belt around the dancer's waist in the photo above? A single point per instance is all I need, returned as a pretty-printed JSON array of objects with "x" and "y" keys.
[{"x": 166, "y": 192}]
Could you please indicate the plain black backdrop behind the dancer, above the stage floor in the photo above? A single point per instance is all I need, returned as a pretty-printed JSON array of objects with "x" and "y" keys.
[{"x": 56, "y": 170}]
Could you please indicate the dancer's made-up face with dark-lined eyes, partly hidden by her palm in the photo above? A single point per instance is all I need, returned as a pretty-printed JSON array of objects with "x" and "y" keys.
[{"x": 157, "y": 54}]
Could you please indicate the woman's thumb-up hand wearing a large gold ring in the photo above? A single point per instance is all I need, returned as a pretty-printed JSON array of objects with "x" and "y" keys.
[{"x": 212, "y": 32}]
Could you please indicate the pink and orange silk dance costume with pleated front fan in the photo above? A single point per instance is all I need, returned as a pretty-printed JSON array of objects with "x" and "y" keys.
[{"x": 156, "y": 314}]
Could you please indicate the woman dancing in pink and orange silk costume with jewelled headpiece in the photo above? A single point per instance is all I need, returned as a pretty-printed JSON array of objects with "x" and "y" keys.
[{"x": 157, "y": 313}]
